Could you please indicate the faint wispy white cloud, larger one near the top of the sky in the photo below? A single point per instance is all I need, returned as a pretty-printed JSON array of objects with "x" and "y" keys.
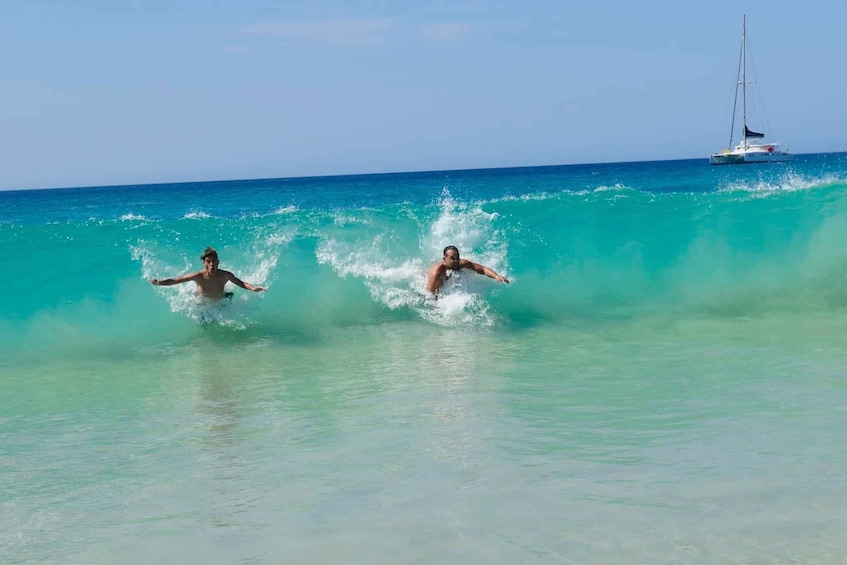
[{"x": 351, "y": 33}]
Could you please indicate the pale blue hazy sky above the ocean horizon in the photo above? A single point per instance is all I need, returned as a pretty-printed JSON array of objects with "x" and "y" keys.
[{"x": 112, "y": 92}]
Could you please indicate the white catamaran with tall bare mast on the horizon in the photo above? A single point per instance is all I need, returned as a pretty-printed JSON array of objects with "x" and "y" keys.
[{"x": 747, "y": 151}]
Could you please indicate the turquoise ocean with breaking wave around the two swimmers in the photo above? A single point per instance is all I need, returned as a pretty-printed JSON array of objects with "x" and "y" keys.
[{"x": 662, "y": 381}]
